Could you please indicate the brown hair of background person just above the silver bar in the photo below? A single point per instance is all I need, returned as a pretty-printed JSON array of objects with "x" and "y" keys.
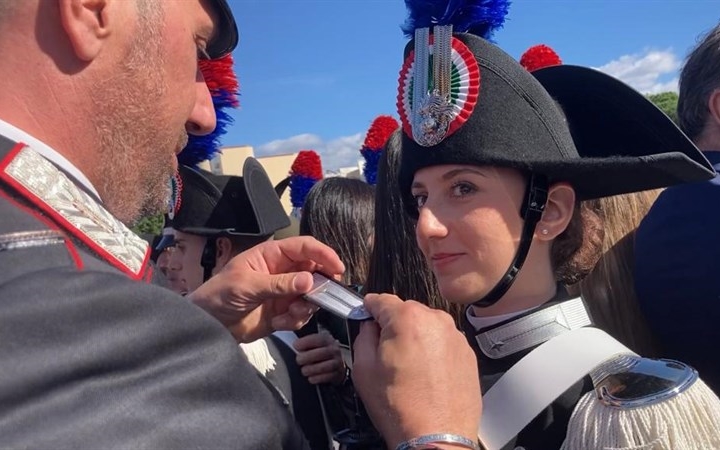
[{"x": 339, "y": 212}]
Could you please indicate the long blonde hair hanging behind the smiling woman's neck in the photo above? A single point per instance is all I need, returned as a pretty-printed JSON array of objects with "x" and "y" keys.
[{"x": 608, "y": 289}]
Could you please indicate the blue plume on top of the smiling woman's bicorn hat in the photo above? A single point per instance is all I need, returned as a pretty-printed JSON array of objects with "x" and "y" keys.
[{"x": 479, "y": 17}]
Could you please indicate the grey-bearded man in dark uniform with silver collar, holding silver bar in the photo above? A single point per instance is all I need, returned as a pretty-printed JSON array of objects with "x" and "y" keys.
[{"x": 96, "y": 105}]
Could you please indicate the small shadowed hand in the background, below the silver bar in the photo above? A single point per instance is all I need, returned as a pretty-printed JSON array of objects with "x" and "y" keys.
[{"x": 320, "y": 359}]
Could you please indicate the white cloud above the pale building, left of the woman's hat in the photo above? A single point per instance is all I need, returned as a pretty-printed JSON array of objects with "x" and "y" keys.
[{"x": 336, "y": 153}]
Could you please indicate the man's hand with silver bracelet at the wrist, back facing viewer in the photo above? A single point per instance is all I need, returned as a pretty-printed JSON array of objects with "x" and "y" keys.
[{"x": 415, "y": 372}]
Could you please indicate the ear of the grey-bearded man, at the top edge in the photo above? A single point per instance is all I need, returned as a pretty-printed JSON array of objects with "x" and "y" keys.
[{"x": 86, "y": 24}]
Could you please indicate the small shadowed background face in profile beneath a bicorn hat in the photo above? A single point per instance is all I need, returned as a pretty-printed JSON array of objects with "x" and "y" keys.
[{"x": 186, "y": 272}]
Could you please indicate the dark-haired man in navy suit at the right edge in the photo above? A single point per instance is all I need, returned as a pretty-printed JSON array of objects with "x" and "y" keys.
[{"x": 677, "y": 245}]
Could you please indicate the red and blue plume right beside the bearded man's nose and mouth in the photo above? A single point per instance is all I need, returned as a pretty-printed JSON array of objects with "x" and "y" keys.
[{"x": 224, "y": 87}]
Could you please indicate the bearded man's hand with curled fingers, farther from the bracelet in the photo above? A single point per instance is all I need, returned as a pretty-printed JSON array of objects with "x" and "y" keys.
[{"x": 259, "y": 291}]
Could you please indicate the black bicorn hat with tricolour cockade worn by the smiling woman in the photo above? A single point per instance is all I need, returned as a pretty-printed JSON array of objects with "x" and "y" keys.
[{"x": 489, "y": 110}]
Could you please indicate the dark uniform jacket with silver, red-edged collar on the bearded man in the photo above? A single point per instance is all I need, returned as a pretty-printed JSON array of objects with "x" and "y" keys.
[{"x": 91, "y": 356}]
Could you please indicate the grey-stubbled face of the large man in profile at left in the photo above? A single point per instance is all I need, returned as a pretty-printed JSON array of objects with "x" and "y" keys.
[{"x": 149, "y": 102}]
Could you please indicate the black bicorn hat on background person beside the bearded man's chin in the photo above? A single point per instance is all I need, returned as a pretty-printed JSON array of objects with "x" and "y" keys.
[{"x": 223, "y": 205}]
